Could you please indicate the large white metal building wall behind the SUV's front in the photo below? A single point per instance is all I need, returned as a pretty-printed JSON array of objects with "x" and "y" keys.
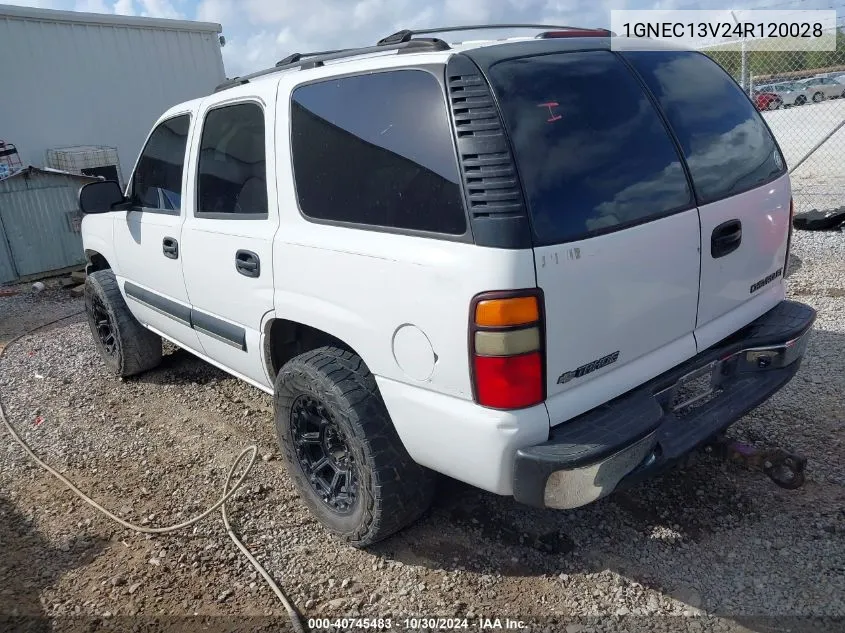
[{"x": 97, "y": 82}]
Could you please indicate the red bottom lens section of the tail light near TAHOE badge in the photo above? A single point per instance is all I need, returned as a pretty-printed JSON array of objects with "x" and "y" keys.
[{"x": 509, "y": 382}]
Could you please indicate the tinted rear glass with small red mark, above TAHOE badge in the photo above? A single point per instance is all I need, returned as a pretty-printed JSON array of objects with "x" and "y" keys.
[{"x": 592, "y": 152}]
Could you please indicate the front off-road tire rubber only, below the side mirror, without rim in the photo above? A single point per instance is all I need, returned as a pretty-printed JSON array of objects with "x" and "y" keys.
[{"x": 137, "y": 349}]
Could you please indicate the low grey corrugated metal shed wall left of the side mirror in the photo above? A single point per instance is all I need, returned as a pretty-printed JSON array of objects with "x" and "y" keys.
[{"x": 37, "y": 220}]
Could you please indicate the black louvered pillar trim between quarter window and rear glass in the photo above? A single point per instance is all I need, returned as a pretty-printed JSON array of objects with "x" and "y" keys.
[{"x": 493, "y": 192}]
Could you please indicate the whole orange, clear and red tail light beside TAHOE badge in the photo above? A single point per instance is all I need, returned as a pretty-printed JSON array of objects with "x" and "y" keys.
[{"x": 506, "y": 341}]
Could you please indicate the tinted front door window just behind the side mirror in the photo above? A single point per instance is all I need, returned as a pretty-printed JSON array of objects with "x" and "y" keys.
[{"x": 157, "y": 182}]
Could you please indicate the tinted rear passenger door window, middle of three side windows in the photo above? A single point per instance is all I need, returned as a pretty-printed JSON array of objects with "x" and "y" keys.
[{"x": 232, "y": 170}]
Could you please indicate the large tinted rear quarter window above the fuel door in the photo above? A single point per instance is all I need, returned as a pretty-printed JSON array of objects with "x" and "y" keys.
[{"x": 377, "y": 150}]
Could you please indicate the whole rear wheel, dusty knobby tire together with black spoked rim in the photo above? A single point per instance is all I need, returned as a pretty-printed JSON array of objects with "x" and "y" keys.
[{"x": 341, "y": 449}]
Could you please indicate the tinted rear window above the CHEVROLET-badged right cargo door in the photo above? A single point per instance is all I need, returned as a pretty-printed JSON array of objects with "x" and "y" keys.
[{"x": 727, "y": 146}]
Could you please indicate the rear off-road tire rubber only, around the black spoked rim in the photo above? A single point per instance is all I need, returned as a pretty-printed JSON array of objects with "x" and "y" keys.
[{"x": 393, "y": 490}]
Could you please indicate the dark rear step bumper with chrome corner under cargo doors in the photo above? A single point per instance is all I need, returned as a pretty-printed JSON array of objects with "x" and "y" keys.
[{"x": 643, "y": 431}]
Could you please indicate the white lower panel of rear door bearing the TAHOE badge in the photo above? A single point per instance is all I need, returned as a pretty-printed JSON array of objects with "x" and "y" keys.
[{"x": 634, "y": 291}]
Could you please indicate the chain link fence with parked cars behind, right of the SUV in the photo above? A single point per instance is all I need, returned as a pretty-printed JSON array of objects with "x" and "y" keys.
[{"x": 801, "y": 94}]
